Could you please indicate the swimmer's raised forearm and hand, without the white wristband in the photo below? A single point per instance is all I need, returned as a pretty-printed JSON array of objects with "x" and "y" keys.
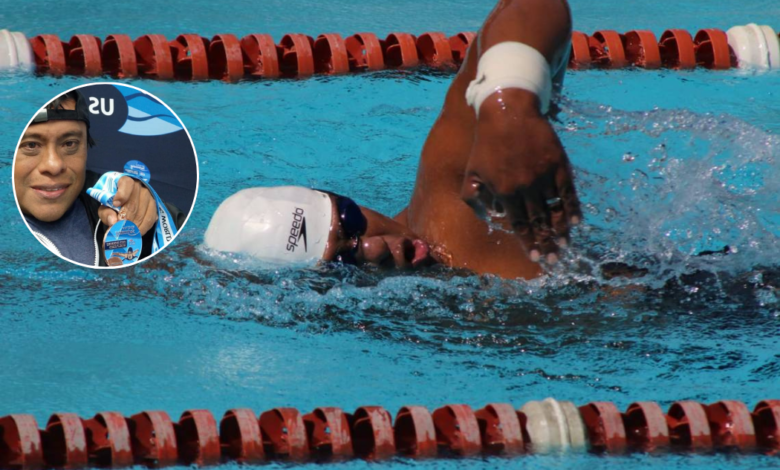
[{"x": 517, "y": 162}]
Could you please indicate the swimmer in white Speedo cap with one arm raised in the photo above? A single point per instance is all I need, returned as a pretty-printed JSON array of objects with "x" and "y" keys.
[{"x": 494, "y": 191}]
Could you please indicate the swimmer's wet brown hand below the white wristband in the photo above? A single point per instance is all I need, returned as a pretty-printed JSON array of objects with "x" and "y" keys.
[{"x": 518, "y": 168}]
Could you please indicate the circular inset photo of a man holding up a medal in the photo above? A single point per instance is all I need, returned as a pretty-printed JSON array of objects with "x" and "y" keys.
[{"x": 105, "y": 175}]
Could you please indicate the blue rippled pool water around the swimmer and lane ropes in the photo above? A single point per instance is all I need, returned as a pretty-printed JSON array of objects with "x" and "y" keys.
[{"x": 669, "y": 164}]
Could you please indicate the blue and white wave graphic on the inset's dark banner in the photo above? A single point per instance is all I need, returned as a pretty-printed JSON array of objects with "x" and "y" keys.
[{"x": 147, "y": 116}]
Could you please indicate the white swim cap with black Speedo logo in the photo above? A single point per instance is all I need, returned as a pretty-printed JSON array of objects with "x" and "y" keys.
[{"x": 284, "y": 224}]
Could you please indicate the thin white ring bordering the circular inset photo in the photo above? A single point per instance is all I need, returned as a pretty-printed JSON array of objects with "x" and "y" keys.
[{"x": 179, "y": 229}]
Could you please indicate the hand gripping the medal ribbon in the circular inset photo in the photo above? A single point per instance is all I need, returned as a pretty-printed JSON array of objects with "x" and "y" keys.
[{"x": 137, "y": 202}]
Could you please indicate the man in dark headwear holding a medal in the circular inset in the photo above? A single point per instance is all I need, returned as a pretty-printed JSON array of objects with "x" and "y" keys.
[{"x": 50, "y": 181}]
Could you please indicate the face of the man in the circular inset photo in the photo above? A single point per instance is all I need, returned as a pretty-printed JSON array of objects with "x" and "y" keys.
[{"x": 50, "y": 167}]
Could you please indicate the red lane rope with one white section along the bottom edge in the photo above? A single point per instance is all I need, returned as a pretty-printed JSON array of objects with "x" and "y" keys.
[{"x": 152, "y": 439}]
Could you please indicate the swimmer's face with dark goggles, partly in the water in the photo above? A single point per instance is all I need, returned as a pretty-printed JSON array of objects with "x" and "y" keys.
[{"x": 384, "y": 242}]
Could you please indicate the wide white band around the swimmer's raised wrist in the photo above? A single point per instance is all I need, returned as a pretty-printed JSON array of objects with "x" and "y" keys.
[{"x": 511, "y": 65}]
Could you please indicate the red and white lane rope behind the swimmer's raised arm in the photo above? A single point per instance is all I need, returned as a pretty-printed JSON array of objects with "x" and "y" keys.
[{"x": 225, "y": 57}]
